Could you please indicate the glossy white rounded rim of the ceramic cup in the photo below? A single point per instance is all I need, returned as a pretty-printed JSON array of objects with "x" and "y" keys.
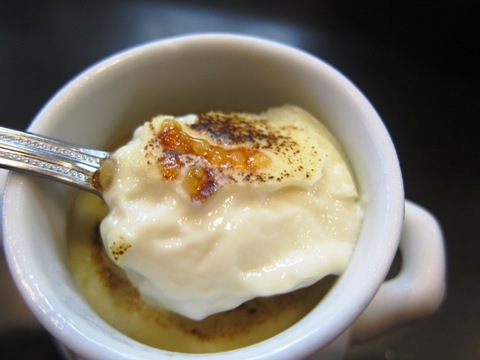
[{"x": 292, "y": 344}]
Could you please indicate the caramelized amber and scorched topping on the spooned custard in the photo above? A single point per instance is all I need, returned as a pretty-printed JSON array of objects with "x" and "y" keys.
[{"x": 230, "y": 148}]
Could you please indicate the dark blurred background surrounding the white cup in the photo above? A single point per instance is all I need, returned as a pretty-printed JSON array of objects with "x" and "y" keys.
[{"x": 415, "y": 61}]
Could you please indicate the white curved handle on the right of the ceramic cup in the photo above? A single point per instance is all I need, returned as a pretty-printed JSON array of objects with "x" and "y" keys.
[{"x": 418, "y": 290}]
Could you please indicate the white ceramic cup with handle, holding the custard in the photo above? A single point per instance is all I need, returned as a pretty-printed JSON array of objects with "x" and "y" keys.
[{"x": 226, "y": 72}]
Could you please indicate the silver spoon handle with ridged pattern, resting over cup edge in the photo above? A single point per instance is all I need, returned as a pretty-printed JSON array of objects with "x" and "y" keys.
[{"x": 51, "y": 158}]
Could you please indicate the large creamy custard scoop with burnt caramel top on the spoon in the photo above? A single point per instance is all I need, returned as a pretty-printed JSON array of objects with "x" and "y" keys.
[{"x": 209, "y": 211}]
